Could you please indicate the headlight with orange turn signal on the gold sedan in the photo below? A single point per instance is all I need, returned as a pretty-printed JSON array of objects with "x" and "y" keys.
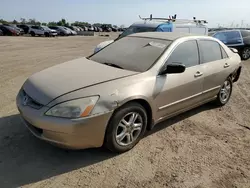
[{"x": 73, "y": 109}]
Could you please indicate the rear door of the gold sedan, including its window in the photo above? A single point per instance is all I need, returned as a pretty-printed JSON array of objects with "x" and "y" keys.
[{"x": 214, "y": 62}]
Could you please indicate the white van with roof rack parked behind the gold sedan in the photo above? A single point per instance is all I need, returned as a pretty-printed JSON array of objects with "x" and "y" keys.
[{"x": 162, "y": 25}]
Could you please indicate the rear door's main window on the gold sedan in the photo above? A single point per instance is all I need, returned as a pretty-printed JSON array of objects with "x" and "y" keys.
[{"x": 210, "y": 50}]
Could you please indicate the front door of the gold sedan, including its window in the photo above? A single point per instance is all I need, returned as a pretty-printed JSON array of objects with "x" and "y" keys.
[{"x": 180, "y": 91}]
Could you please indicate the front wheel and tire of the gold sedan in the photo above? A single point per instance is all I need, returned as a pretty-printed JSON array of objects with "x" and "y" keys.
[{"x": 118, "y": 128}]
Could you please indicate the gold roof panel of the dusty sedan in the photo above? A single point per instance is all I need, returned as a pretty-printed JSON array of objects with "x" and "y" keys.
[{"x": 164, "y": 35}]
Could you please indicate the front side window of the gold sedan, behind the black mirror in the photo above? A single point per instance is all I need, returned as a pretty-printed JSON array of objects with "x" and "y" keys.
[{"x": 186, "y": 53}]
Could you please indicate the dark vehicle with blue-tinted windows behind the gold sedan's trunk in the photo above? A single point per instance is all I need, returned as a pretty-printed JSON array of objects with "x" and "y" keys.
[{"x": 238, "y": 39}]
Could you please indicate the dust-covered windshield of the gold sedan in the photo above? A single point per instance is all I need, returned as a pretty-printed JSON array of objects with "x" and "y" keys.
[{"x": 132, "y": 53}]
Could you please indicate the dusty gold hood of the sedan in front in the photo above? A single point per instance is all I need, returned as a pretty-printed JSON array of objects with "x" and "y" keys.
[{"x": 67, "y": 77}]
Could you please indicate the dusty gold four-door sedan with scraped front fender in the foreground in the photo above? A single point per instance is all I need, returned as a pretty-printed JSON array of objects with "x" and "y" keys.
[{"x": 111, "y": 98}]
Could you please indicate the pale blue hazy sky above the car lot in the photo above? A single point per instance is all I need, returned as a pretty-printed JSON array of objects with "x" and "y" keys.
[{"x": 223, "y": 12}]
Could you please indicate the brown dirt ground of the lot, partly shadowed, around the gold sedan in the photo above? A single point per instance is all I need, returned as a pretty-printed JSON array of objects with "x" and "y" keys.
[{"x": 205, "y": 147}]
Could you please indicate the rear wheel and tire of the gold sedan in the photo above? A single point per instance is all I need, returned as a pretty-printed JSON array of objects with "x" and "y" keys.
[{"x": 225, "y": 92}]
